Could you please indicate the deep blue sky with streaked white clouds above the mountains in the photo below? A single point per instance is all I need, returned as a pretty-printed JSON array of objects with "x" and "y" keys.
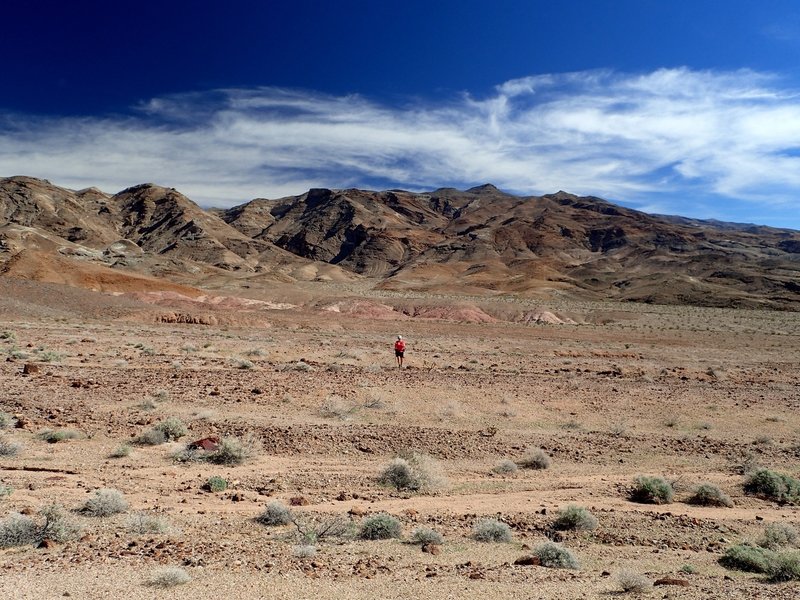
[{"x": 689, "y": 108}]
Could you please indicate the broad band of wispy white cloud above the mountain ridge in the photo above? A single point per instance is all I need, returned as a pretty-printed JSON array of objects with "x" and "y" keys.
[{"x": 666, "y": 134}]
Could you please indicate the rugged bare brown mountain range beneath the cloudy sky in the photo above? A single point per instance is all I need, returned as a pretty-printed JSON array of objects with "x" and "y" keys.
[{"x": 481, "y": 241}]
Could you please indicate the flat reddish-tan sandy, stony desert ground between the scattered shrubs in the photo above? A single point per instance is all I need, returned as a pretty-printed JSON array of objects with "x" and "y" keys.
[{"x": 688, "y": 394}]
